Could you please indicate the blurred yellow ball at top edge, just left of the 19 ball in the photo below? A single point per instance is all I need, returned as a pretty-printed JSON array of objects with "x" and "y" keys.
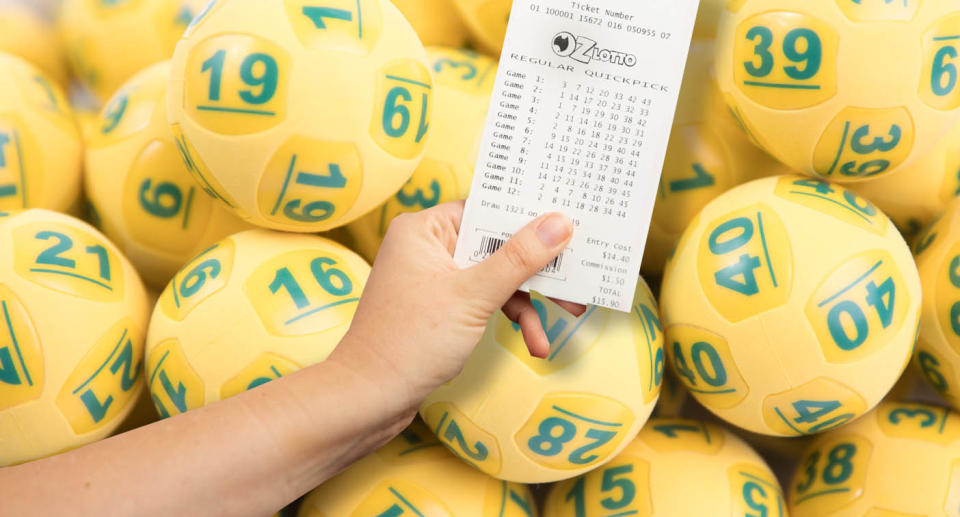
[{"x": 109, "y": 41}]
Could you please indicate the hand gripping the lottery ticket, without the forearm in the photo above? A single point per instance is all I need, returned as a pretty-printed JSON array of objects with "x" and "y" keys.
[{"x": 421, "y": 316}]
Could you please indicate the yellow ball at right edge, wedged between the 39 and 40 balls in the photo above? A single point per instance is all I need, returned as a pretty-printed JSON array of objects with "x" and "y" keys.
[{"x": 917, "y": 194}]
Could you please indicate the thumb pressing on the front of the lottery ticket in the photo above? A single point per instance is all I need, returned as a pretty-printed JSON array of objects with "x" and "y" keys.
[{"x": 525, "y": 254}]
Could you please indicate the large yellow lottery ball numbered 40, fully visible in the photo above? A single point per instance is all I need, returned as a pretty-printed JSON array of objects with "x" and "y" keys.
[{"x": 790, "y": 306}]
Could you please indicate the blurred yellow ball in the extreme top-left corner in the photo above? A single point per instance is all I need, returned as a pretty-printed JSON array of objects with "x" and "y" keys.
[{"x": 25, "y": 33}]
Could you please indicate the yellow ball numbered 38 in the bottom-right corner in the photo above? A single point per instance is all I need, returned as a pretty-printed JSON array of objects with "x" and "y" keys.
[{"x": 899, "y": 460}]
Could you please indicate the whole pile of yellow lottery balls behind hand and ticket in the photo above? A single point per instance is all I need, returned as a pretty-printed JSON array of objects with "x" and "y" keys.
[{"x": 191, "y": 194}]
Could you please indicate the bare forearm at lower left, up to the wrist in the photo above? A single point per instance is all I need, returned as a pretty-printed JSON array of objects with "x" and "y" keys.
[{"x": 248, "y": 455}]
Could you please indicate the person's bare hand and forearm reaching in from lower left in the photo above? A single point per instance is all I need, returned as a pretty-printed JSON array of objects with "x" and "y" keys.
[{"x": 418, "y": 321}]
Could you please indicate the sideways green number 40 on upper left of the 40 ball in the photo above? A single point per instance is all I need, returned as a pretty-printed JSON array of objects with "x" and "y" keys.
[{"x": 729, "y": 237}]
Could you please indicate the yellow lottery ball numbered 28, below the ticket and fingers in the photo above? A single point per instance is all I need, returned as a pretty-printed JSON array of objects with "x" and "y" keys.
[{"x": 530, "y": 420}]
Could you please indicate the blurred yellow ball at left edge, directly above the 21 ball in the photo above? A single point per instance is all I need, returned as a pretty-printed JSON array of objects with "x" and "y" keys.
[{"x": 41, "y": 154}]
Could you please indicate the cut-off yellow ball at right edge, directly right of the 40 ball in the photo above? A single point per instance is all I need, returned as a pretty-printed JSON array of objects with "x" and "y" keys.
[{"x": 938, "y": 260}]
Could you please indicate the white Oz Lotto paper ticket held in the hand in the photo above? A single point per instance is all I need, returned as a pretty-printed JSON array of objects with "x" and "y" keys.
[{"x": 579, "y": 123}]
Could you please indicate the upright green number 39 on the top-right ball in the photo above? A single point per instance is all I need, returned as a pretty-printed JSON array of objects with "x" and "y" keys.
[{"x": 804, "y": 64}]
